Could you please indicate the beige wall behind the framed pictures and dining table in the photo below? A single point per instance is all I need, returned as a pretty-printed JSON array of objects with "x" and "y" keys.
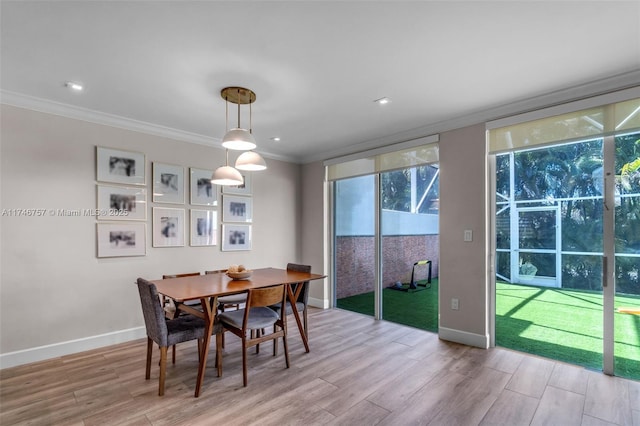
[{"x": 55, "y": 294}]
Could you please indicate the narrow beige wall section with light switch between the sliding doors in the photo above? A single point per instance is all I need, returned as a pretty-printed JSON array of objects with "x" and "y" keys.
[{"x": 463, "y": 265}]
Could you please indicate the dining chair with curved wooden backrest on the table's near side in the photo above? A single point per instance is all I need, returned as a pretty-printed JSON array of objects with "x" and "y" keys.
[{"x": 255, "y": 317}]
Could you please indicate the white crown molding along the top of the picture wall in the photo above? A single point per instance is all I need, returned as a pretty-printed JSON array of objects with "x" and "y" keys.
[{"x": 21, "y": 100}]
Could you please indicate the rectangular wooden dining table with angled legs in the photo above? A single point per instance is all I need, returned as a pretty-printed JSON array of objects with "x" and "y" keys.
[{"x": 208, "y": 287}]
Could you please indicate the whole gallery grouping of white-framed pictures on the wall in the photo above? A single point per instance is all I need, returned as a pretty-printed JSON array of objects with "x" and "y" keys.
[{"x": 185, "y": 206}]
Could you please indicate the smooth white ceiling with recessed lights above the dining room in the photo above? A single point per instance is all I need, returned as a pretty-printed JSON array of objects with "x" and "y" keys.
[{"x": 316, "y": 67}]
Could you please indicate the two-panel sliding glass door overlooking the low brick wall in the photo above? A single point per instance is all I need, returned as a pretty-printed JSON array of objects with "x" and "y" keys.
[{"x": 386, "y": 245}]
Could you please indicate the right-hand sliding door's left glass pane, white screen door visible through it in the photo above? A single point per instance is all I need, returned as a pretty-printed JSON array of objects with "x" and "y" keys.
[{"x": 549, "y": 216}]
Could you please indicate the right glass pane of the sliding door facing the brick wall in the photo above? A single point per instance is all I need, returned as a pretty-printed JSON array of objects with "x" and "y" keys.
[{"x": 409, "y": 201}]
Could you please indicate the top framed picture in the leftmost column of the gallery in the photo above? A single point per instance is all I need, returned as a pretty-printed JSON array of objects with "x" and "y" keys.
[{"x": 117, "y": 166}]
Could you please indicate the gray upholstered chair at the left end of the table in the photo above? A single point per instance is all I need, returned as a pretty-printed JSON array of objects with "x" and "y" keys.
[{"x": 167, "y": 332}]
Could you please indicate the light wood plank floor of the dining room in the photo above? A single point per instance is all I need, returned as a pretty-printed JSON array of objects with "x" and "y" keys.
[{"x": 359, "y": 372}]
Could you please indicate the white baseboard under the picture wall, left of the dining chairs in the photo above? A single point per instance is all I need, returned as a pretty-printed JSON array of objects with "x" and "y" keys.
[{"x": 41, "y": 353}]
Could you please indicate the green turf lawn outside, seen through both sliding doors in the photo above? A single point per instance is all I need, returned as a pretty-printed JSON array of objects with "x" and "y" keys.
[{"x": 561, "y": 324}]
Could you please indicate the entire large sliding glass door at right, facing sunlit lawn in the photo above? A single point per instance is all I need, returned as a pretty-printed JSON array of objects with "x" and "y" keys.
[{"x": 567, "y": 237}]
